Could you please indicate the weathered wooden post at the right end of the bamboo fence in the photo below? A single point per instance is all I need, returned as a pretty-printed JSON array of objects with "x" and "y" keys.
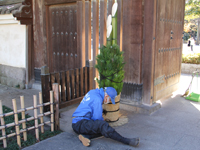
[{"x": 56, "y": 100}]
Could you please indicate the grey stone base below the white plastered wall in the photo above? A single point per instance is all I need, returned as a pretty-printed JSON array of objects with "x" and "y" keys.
[{"x": 12, "y": 76}]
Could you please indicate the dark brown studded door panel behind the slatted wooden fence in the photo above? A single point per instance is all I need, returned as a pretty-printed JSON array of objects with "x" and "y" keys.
[{"x": 62, "y": 42}]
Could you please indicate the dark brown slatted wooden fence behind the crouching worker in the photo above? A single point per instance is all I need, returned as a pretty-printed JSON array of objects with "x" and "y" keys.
[{"x": 72, "y": 85}]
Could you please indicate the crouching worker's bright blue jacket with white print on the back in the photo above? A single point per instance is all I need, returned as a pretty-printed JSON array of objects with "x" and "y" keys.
[{"x": 90, "y": 107}]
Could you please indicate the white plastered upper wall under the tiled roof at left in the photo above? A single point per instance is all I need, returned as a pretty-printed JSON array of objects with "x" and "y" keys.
[{"x": 12, "y": 42}]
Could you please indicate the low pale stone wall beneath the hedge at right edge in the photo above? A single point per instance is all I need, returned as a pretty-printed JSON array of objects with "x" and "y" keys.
[{"x": 189, "y": 68}]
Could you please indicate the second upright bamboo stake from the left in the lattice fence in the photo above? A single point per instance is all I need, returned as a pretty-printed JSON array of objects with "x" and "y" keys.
[{"x": 16, "y": 122}]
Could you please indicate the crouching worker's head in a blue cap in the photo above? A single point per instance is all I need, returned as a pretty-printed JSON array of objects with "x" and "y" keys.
[{"x": 110, "y": 94}]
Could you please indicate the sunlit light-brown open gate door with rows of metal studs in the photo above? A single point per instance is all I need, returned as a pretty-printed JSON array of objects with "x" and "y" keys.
[{"x": 168, "y": 50}]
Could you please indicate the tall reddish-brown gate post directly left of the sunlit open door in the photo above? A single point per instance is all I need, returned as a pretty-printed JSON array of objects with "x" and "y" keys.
[{"x": 148, "y": 55}]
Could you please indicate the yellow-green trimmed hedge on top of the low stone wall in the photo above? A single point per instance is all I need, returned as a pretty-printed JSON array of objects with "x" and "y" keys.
[{"x": 191, "y": 58}]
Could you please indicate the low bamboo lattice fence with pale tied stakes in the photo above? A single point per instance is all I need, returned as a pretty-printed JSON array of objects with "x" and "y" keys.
[{"x": 18, "y": 122}]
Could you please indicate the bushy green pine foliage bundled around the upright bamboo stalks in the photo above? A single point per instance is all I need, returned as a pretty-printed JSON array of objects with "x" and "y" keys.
[{"x": 110, "y": 64}]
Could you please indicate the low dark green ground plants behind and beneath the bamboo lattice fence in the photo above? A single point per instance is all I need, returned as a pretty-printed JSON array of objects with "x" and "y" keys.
[{"x": 12, "y": 141}]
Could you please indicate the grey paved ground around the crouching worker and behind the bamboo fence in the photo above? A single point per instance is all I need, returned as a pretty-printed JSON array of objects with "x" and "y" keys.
[{"x": 175, "y": 126}]
